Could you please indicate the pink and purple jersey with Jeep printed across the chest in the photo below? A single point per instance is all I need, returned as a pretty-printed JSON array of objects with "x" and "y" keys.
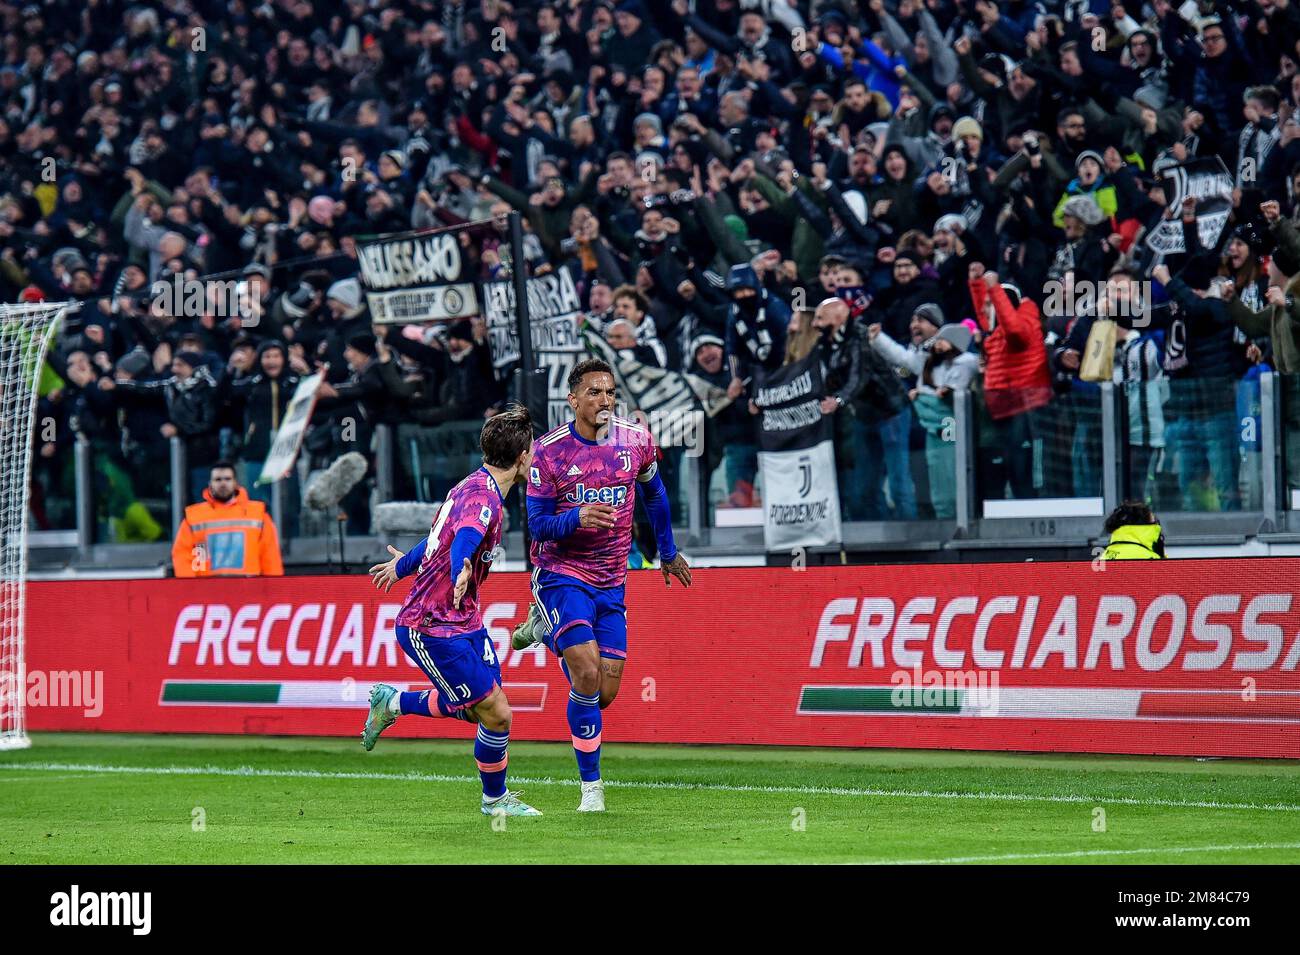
[{"x": 575, "y": 472}]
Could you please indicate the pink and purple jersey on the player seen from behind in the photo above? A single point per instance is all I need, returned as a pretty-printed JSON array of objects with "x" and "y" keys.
[{"x": 476, "y": 503}]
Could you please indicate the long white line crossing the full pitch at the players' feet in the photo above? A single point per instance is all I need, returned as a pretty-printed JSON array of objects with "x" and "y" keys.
[{"x": 638, "y": 784}]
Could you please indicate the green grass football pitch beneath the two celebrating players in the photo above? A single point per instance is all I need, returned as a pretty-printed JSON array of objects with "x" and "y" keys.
[{"x": 99, "y": 798}]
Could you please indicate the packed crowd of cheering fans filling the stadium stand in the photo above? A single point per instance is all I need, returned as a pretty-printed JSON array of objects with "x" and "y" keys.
[{"x": 900, "y": 185}]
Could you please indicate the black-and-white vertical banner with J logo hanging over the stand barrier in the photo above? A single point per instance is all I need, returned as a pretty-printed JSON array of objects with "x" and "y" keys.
[{"x": 796, "y": 457}]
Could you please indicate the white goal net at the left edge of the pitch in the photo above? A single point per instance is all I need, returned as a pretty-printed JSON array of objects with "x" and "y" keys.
[{"x": 25, "y": 336}]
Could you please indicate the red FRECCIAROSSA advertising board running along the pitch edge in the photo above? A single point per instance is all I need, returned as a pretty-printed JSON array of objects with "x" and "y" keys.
[{"x": 1182, "y": 658}]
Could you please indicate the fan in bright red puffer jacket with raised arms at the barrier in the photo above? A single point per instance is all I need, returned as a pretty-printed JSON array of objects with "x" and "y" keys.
[{"x": 1017, "y": 381}]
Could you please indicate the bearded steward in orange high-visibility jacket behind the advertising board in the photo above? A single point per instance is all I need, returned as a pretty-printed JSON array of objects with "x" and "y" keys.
[{"x": 228, "y": 535}]
